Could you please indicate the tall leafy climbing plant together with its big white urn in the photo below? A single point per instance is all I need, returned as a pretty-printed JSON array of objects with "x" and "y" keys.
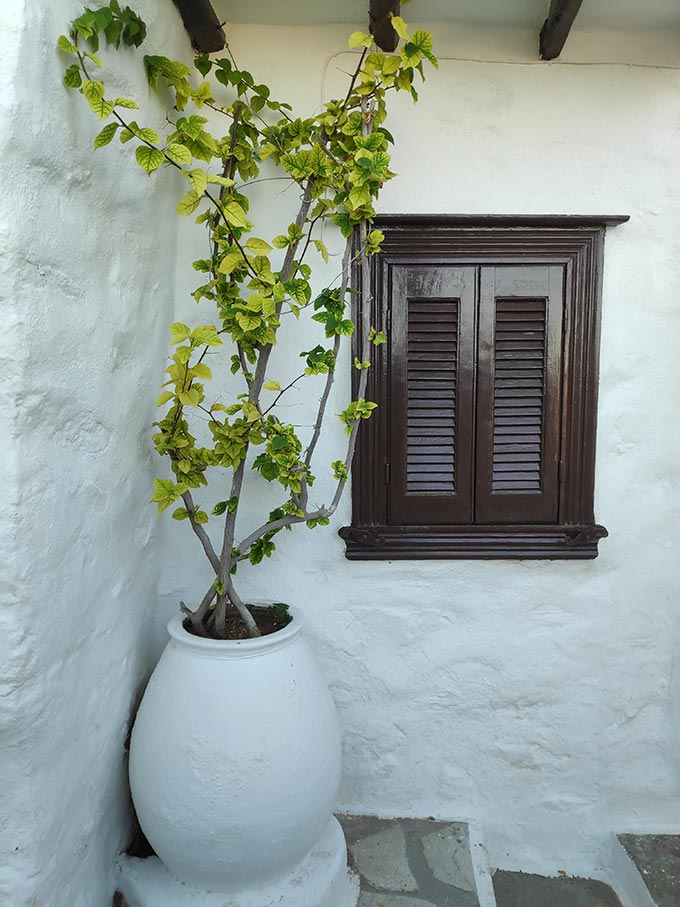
[{"x": 235, "y": 751}]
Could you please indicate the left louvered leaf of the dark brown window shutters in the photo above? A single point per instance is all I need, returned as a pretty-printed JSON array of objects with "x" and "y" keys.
[{"x": 431, "y": 387}]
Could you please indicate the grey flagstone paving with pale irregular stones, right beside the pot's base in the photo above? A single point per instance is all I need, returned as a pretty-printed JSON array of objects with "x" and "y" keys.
[{"x": 417, "y": 863}]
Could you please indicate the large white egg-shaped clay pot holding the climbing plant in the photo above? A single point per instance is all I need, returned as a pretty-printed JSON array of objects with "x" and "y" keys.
[{"x": 235, "y": 759}]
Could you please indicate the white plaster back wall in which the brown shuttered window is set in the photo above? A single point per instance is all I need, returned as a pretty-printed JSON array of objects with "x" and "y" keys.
[{"x": 539, "y": 697}]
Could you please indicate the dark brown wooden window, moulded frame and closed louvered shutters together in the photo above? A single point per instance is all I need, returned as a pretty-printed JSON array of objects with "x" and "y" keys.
[{"x": 483, "y": 442}]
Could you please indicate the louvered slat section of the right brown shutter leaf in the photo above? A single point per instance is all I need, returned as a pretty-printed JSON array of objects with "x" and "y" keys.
[{"x": 518, "y": 400}]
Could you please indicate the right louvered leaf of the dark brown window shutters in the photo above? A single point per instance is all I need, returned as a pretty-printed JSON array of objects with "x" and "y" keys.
[{"x": 519, "y": 394}]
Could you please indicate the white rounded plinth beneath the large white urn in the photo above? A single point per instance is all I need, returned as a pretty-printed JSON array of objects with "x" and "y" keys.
[{"x": 321, "y": 880}]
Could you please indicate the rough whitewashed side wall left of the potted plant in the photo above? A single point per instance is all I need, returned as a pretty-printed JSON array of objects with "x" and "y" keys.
[{"x": 87, "y": 287}]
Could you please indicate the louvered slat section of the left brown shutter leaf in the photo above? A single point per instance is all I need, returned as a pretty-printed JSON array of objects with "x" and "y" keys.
[{"x": 431, "y": 375}]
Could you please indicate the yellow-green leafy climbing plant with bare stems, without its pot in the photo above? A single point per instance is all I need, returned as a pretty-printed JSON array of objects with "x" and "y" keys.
[{"x": 224, "y": 126}]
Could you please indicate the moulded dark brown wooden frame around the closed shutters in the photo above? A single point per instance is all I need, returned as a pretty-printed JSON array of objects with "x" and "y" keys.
[{"x": 577, "y": 244}]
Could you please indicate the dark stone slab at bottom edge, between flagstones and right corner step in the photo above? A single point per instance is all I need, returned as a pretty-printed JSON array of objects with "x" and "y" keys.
[{"x": 520, "y": 889}]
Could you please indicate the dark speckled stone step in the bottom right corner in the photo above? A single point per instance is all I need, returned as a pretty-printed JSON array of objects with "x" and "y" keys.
[{"x": 656, "y": 859}]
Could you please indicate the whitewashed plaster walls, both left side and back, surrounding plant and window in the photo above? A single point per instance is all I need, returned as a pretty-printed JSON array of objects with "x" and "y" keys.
[{"x": 538, "y": 697}]
